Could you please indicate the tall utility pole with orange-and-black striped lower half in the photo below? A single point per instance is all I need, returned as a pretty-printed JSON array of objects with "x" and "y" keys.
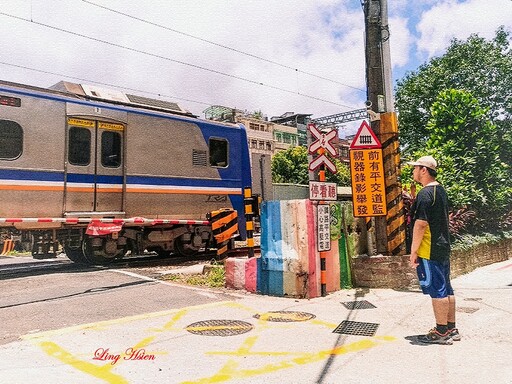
[{"x": 389, "y": 230}]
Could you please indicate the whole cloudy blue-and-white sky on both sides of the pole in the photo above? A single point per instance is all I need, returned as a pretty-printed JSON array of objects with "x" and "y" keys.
[{"x": 302, "y": 56}]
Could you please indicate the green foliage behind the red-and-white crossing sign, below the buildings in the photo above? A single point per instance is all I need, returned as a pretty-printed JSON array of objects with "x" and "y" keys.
[{"x": 291, "y": 166}]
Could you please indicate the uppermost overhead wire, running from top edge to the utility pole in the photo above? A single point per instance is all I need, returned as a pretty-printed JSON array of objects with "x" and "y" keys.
[{"x": 219, "y": 45}]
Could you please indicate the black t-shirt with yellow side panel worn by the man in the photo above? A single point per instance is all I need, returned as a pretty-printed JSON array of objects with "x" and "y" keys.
[{"x": 431, "y": 205}]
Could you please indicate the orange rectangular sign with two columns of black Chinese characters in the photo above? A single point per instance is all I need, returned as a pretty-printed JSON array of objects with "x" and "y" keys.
[{"x": 368, "y": 187}]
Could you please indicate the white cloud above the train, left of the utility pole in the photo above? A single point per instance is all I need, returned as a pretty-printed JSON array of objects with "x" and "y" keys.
[{"x": 324, "y": 38}]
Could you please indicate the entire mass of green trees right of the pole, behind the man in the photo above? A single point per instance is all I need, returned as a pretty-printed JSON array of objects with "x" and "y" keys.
[{"x": 458, "y": 109}]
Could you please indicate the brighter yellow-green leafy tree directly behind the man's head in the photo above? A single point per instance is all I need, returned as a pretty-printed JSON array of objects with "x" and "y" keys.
[{"x": 465, "y": 142}]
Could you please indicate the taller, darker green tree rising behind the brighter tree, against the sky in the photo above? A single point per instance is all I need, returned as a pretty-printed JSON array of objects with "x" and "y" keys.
[{"x": 481, "y": 67}]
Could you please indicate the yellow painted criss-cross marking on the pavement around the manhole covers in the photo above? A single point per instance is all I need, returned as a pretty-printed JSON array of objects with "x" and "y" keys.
[{"x": 231, "y": 370}]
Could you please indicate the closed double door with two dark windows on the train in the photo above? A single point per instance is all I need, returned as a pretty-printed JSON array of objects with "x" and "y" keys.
[{"x": 94, "y": 178}]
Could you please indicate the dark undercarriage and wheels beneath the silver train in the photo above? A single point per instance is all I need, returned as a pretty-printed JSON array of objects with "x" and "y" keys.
[{"x": 102, "y": 241}]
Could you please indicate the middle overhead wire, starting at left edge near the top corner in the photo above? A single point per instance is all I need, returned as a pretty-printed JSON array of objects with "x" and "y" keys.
[{"x": 173, "y": 60}]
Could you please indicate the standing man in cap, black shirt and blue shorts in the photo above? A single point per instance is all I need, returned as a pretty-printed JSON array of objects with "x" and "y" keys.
[{"x": 430, "y": 250}]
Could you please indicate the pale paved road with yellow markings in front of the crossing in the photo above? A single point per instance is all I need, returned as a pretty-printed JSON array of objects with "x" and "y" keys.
[{"x": 123, "y": 326}]
